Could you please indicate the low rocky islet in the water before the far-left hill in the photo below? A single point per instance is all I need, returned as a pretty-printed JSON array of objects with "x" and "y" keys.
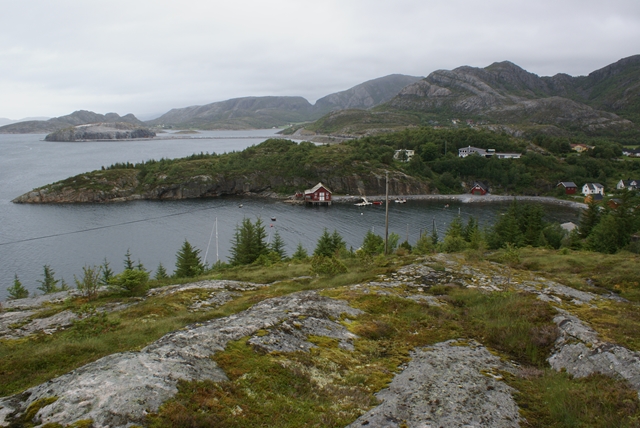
[{"x": 101, "y": 131}]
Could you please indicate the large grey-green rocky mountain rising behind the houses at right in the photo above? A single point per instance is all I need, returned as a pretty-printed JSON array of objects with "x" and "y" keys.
[{"x": 506, "y": 94}]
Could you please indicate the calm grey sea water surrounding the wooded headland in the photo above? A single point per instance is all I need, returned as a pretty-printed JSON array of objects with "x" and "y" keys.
[{"x": 67, "y": 237}]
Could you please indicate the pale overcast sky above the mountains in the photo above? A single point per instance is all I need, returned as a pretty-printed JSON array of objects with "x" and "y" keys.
[{"x": 148, "y": 56}]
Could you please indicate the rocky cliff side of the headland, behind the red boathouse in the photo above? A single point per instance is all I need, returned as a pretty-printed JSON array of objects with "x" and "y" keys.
[{"x": 101, "y": 186}]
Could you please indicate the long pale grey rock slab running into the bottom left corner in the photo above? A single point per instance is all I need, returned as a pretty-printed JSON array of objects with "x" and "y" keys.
[{"x": 120, "y": 389}]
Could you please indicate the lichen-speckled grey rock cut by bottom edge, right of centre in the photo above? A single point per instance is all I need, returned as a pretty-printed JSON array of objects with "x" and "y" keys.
[{"x": 450, "y": 384}]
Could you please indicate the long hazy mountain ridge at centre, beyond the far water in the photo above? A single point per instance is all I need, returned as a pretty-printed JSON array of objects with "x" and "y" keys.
[{"x": 267, "y": 112}]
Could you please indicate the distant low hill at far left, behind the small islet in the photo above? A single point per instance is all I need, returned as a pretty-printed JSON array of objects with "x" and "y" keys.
[{"x": 80, "y": 117}]
